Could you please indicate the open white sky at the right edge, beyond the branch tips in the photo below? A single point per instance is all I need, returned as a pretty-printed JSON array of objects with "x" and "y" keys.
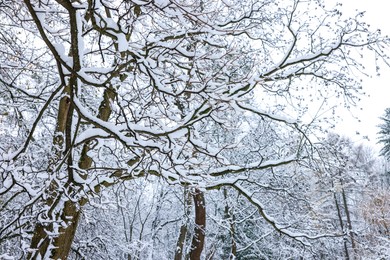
[{"x": 378, "y": 88}]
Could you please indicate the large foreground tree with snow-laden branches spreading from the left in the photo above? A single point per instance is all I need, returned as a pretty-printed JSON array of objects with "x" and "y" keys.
[{"x": 105, "y": 92}]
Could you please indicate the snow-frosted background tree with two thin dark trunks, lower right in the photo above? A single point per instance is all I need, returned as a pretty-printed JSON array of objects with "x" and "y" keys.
[{"x": 346, "y": 169}]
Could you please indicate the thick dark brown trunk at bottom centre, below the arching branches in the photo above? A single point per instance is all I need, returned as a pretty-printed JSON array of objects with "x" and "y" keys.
[{"x": 200, "y": 225}]
